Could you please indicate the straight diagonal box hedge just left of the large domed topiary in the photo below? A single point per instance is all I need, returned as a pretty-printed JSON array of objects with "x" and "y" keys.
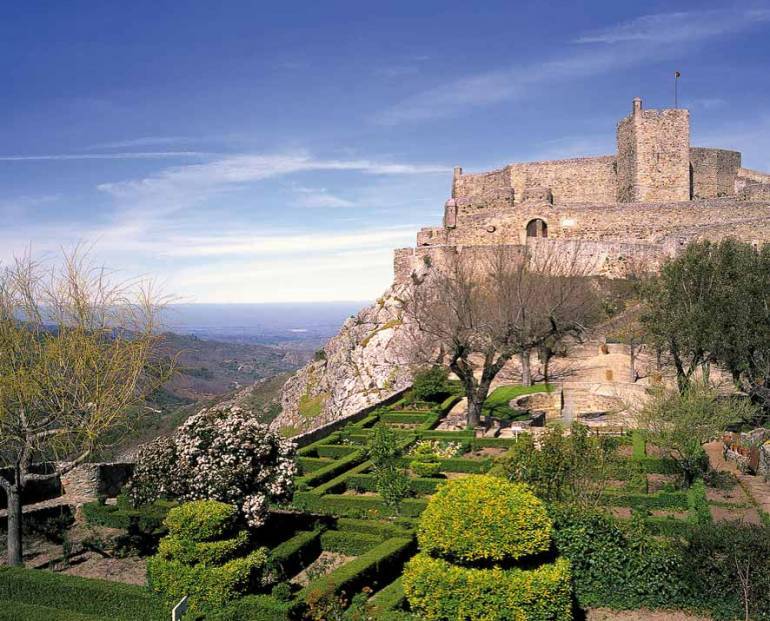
[{"x": 378, "y": 566}]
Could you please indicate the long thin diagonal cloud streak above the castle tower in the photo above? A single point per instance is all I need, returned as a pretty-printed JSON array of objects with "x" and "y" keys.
[{"x": 650, "y": 37}]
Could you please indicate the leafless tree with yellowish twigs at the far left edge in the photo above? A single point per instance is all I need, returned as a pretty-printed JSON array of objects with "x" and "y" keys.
[{"x": 76, "y": 352}]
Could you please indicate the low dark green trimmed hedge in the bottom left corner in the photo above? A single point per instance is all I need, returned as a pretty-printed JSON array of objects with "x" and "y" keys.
[{"x": 83, "y": 596}]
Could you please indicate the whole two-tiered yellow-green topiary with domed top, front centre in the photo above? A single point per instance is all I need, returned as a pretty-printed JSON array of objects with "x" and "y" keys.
[{"x": 471, "y": 535}]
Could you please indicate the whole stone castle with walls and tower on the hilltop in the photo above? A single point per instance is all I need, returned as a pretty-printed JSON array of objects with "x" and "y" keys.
[{"x": 644, "y": 203}]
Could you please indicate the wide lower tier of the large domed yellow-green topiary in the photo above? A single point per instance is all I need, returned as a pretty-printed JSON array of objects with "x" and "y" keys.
[{"x": 439, "y": 590}]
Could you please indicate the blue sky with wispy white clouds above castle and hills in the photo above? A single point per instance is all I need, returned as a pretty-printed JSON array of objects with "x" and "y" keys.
[{"x": 263, "y": 151}]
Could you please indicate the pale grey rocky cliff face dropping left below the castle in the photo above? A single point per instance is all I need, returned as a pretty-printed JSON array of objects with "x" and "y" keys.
[{"x": 368, "y": 361}]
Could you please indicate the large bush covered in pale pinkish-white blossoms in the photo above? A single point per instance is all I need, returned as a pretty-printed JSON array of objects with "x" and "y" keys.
[{"x": 219, "y": 454}]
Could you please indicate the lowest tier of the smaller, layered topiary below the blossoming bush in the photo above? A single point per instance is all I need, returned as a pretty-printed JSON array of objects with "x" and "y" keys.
[{"x": 207, "y": 585}]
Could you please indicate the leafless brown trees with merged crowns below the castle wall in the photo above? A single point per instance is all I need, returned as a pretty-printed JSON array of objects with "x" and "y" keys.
[{"x": 480, "y": 312}]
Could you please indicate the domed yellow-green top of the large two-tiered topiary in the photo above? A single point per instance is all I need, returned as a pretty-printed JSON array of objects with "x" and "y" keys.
[{"x": 484, "y": 518}]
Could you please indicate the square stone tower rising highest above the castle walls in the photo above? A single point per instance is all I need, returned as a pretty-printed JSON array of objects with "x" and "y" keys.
[{"x": 653, "y": 159}]
